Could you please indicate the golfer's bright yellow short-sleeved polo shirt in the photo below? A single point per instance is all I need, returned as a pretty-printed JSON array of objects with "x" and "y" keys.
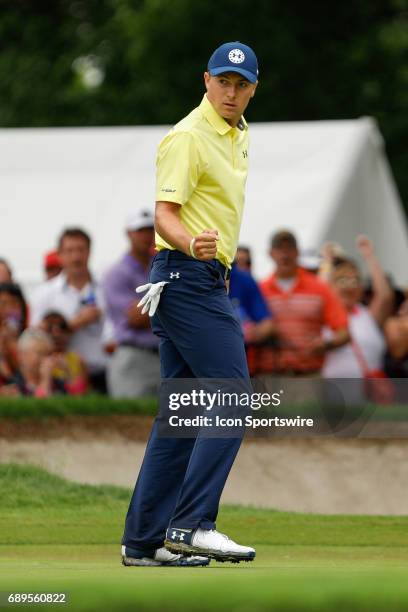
[{"x": 202, "y": 164}]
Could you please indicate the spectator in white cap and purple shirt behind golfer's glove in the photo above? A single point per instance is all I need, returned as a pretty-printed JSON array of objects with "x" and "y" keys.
[{"x": 134, "y": 369}]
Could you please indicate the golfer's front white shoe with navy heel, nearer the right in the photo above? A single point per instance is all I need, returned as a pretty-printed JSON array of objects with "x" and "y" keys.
[{"x": 210, "y": 543}]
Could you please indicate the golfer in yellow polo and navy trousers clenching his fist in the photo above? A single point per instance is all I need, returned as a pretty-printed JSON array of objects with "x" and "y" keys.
[{"x": 201, "y": 174}]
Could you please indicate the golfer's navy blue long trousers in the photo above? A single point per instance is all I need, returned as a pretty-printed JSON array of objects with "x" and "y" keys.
[{"x": 181, "y": 479}]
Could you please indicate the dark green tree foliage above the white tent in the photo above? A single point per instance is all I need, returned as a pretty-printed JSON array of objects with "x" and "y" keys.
[{"x": 126, "y": 62}]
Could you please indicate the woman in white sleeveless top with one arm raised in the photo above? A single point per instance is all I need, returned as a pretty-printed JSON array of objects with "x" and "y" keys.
[{"x": 365, "y": 353}]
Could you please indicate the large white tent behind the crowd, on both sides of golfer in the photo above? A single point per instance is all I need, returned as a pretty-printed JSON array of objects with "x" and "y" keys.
[{"x": 324, "y": 180}]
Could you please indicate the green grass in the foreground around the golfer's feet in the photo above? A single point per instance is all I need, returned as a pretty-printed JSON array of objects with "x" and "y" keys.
[{"x": 59, "y": 536}]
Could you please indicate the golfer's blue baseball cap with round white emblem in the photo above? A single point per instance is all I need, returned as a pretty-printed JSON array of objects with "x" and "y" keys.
[{"x": 234, "y": 57}]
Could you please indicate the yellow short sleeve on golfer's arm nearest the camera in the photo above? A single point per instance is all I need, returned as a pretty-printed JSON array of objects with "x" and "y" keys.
[{"x": 177, "y": 168}]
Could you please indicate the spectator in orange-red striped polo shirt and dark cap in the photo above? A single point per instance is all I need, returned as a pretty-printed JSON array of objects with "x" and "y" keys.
[{"x": 301, "y": 305}]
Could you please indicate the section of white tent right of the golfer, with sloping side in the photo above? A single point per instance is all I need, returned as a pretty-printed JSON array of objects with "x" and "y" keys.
[{"x": 326, "y": 180}]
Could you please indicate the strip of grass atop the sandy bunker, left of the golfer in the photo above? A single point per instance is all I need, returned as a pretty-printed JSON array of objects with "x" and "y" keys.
[{"x": 96, "y": 405}]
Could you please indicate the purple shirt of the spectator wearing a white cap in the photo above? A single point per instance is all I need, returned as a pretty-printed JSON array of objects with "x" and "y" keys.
[{"x": 119, "y": 288}]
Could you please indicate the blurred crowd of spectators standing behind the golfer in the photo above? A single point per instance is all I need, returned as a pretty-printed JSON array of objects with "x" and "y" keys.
[{"x": 314, "y": 316}]
